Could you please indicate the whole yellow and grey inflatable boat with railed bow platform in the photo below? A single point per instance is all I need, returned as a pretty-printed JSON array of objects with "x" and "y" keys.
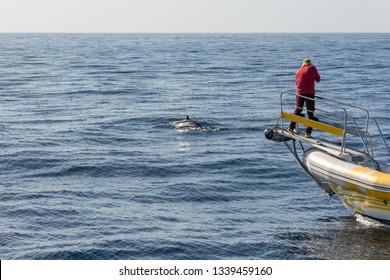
[{"x": 348, "y": 157}]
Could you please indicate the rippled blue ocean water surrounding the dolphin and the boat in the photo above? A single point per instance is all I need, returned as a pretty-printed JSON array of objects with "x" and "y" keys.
[{"x": 89, "y": 168}]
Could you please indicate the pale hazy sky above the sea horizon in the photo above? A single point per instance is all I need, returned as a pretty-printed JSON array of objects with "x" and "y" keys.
[{"x": 194, "y": 15}]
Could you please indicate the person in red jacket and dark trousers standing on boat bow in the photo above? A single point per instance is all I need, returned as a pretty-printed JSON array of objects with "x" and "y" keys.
[{"x": 306, "y": 77}]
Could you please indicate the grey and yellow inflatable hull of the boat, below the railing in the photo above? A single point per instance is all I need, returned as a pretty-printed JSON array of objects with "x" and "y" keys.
[{"x": 361, "y": 189}]
